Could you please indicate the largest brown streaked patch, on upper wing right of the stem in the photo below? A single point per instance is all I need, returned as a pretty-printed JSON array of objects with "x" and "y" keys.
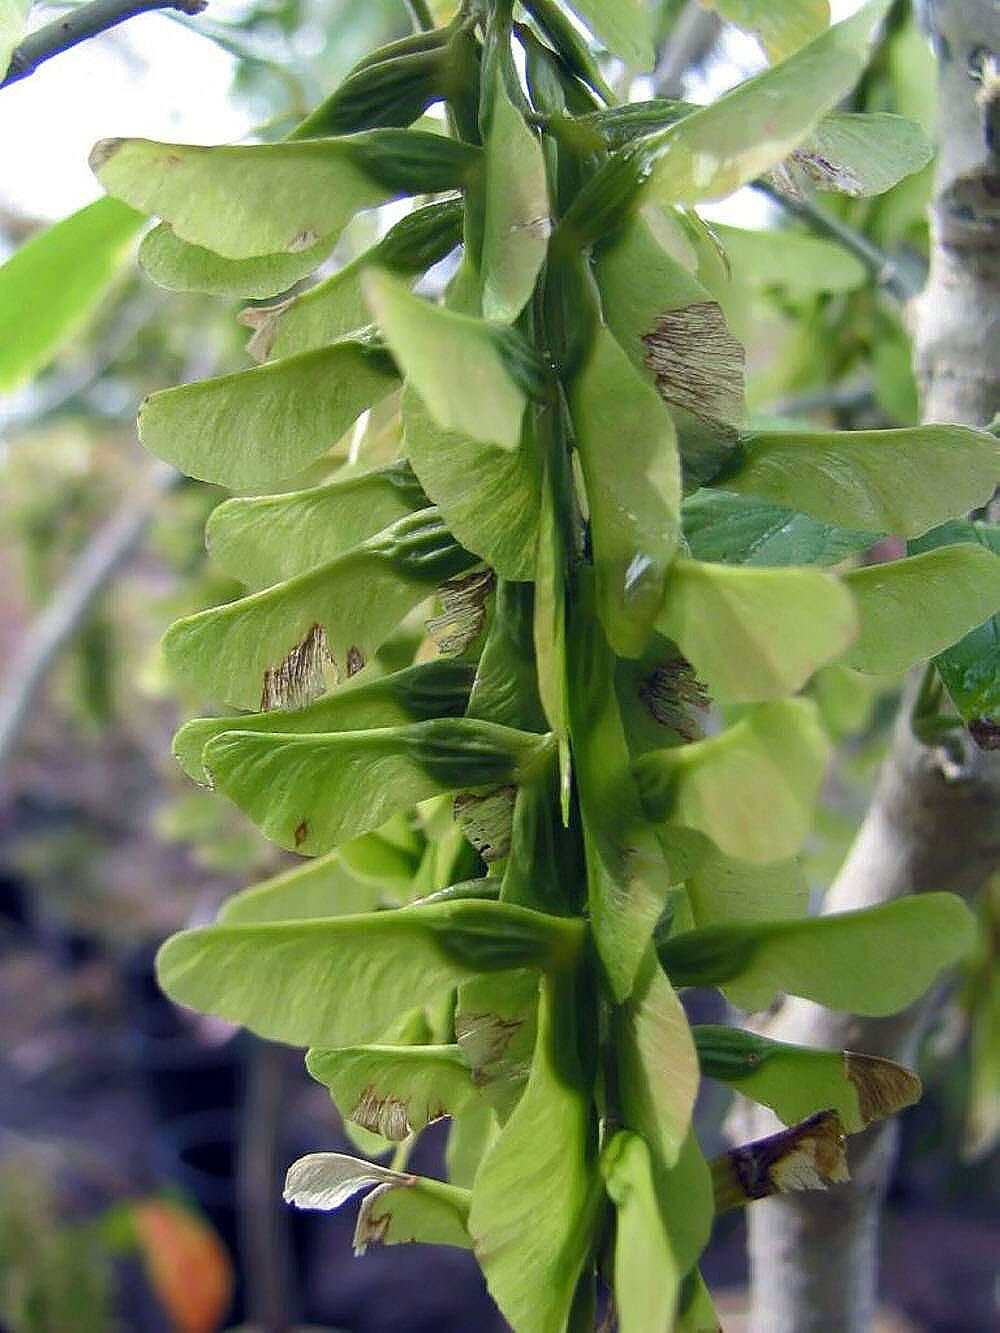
[{"x": 698, "y": 363}]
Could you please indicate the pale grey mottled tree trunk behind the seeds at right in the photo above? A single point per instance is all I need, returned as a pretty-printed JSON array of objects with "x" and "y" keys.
[{"x": 935, "y": 819}]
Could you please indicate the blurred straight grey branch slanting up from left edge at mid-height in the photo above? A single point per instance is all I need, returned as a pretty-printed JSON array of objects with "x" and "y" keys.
[{"x": 69, "y": 607}]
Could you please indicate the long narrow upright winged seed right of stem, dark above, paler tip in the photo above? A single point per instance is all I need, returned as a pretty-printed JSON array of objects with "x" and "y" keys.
[{"x": 627, "y": 878}]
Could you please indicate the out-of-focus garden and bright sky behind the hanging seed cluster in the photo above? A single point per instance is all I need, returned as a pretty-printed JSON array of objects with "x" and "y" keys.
[{"x": 142, "y": 1148}]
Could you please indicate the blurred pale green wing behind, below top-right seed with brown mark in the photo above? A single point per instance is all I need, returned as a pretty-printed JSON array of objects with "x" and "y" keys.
[{"x": 803, "y": 266}]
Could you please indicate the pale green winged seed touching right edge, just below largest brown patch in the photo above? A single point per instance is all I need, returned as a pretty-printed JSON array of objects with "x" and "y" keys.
[{"x": 899, "y": 482}]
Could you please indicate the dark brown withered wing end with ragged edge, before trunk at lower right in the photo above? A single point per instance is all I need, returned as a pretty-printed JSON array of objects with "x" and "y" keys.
[{"x": 807, "y": 1156}]
